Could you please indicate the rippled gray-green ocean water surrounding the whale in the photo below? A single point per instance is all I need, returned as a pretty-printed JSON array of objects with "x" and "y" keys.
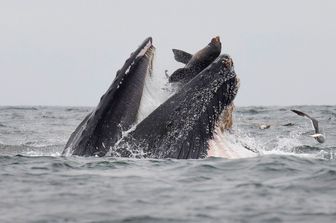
[{"x": 292, "y": 179}]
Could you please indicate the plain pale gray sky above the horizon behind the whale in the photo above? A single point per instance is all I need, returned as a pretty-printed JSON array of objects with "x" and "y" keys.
[{"x": 67, "y": 52}]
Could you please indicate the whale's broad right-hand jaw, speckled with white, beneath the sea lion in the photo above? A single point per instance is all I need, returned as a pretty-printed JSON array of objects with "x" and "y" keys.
[{"x": 182, "y": 126}]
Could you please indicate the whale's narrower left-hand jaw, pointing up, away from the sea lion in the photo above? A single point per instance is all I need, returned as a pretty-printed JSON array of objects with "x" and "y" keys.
[{"x": 118, "y": 107}]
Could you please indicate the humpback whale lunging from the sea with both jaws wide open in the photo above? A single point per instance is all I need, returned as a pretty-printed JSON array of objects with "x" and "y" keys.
[{"x": 179, "y": 128}]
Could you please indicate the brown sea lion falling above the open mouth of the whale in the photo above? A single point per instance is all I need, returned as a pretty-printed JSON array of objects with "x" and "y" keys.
[{"x": 194, "y": 64}]
